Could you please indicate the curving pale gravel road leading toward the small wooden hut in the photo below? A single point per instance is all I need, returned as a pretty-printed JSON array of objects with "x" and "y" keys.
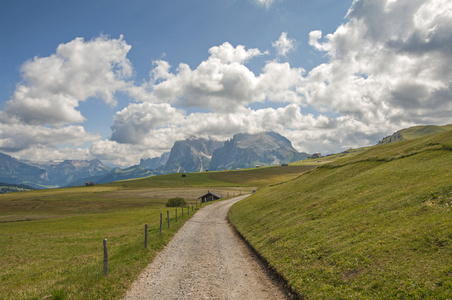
[{"x": 205, "y": 260}]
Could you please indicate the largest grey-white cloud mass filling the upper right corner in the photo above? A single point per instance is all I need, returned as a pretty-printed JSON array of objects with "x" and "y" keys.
[{"x": 390, "y": 64}]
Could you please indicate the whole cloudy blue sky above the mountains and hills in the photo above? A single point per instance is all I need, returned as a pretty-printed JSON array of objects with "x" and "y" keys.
[{"x": 122, "y": 81}]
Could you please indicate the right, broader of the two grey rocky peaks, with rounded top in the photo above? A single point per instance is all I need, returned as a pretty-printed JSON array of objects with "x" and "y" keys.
[{"x": 249, "y": 150}]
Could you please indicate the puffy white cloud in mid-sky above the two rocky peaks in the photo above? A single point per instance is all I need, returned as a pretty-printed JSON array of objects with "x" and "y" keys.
[{"x": 223, "y": 82}]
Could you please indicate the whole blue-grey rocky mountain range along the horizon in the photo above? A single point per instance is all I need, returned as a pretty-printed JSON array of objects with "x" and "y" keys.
[{"x": 191, "y": 155}]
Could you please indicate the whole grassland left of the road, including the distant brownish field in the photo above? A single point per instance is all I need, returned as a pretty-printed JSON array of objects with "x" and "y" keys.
[{"x": 58, "y": 251}]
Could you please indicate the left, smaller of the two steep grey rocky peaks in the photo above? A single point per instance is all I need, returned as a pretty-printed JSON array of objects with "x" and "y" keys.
[{"x": 192, "y": 155}]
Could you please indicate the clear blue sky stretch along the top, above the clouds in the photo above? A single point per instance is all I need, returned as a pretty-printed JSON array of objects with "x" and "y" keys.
[{"x": 181, "y": 30}]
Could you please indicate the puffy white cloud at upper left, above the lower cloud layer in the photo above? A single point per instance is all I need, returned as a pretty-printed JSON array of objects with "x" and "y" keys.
[{"x": 53, "y": 86}]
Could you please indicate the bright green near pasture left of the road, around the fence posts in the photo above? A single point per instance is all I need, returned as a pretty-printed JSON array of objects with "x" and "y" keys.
[{"x": 63, "y": 256}]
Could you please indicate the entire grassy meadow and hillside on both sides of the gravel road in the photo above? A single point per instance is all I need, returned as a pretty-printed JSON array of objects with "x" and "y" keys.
[{"x": 367, "y": 223}]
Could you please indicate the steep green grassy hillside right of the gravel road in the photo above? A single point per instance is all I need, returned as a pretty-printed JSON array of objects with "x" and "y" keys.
[{"x": 374, "y": 225}]
